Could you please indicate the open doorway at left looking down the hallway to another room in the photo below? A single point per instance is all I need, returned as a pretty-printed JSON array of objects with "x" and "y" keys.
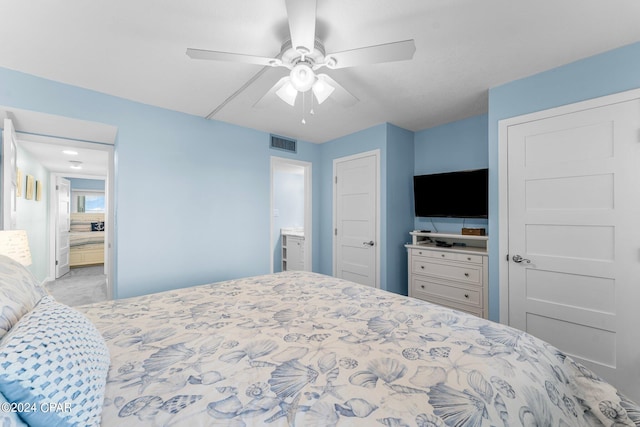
[{"x": 79, "y": 224}]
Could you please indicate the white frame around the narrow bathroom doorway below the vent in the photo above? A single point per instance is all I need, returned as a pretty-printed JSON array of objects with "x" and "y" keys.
[{"x": 308, "y": 206}]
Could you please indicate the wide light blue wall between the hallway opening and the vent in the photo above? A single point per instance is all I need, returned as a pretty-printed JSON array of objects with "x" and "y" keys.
[{"x": 191, "y": 196}]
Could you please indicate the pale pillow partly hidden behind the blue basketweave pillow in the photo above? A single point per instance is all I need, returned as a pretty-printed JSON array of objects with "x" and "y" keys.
[{"x": 19, "y": 292}]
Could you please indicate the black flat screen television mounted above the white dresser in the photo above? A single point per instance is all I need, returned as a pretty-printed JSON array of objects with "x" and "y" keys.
[{"x": 462, "y": 194}]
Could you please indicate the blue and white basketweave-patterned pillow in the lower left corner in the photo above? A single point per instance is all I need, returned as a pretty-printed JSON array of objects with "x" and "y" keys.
[{"x": 55, "y": 356}]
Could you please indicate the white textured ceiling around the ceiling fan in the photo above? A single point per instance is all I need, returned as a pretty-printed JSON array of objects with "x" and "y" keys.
[{"x": 136, "y": 50}]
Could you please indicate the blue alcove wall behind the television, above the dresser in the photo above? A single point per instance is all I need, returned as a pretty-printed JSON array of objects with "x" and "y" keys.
[{"x": 451, "y": 147}]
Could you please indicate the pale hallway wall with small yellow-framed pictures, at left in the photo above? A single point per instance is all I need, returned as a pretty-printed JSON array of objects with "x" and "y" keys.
[{"x": 32, "y": 215}]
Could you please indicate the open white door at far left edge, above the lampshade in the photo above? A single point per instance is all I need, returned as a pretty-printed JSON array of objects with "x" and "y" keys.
[{"x": 8, "y": 166}]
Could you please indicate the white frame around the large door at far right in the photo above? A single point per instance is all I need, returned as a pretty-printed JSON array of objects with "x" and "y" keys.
[{"x": 503, "y": 184}]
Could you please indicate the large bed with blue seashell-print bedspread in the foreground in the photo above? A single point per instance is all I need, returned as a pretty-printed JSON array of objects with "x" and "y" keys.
[{"x": 297, "y": 349}]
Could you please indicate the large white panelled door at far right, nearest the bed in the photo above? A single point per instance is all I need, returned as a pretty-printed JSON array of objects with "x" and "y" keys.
[{"x": 574, "y": 239}]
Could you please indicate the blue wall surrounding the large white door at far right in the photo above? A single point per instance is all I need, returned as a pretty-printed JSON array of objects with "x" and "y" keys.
[{"x": 611, "y": 72}]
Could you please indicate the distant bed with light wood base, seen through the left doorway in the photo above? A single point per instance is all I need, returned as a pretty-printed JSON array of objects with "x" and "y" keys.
[{"x": 86, "y": 239}]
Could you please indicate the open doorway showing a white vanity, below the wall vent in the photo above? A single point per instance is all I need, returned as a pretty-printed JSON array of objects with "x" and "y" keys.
[{"x": 291, "y": 219}]
